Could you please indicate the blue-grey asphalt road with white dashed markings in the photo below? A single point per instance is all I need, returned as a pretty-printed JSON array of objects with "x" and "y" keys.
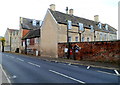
[{"x": 26, "y": 69}]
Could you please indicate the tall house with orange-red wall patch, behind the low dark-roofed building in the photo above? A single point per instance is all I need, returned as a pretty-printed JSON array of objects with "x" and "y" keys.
[{"x": 26, "y": 26}]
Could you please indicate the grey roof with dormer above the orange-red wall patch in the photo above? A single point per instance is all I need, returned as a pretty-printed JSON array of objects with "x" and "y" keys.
[{"x": 27, "y": 23}]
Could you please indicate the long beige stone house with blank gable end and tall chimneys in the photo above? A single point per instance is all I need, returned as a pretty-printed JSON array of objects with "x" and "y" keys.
[{"x": 55, "y": 25}]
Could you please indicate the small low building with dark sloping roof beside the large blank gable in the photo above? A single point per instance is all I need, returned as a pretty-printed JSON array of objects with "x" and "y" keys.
[{"x": 32, "y": 42}]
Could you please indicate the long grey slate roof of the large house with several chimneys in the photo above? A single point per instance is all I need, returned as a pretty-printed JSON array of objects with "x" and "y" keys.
[{"x": 62, "y": 18}]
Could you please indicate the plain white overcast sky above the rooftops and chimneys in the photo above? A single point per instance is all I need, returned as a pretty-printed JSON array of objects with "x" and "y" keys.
[{"x": 11, "y": 10}]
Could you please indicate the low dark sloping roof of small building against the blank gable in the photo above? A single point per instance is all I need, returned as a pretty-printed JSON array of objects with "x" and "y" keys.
[{"x": 32, "y": 34}]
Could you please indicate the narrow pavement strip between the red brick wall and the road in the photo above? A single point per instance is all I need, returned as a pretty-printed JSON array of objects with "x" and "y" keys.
[{"x": 104, "y": 65}]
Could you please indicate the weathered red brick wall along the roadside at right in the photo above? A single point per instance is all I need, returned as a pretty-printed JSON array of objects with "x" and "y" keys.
[{"x": 106, "y": 51}]
